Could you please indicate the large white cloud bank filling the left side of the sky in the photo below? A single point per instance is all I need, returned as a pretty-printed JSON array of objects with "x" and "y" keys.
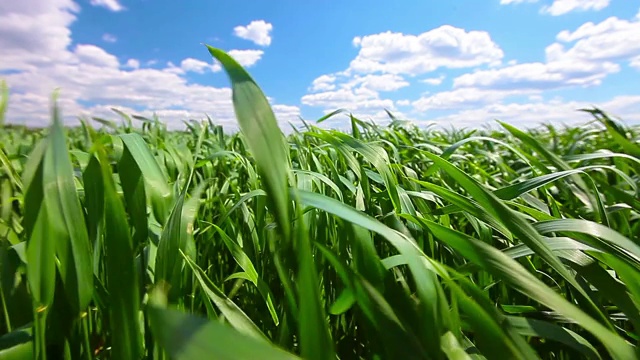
[{"x": 35, "y": 45}]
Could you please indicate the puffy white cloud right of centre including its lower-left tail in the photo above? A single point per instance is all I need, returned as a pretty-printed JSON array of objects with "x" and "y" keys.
[{"x": 385, "y": 61}]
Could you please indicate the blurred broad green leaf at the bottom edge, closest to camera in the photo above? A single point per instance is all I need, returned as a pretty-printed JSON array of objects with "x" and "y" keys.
[{"x": 187, "y": 337}]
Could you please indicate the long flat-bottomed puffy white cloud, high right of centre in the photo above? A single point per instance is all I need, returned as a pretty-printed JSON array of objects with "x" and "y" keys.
[{"x": 446, "y": 46}]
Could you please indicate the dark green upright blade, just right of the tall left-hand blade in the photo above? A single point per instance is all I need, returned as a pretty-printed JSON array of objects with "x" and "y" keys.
[{"x": 121, "y": 270}]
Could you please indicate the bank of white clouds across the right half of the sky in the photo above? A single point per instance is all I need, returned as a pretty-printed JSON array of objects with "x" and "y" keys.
[{"x": 583, "y": 57}]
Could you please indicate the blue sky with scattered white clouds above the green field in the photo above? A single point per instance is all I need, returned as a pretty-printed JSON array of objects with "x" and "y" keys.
[{"x": 461, "y": 63}]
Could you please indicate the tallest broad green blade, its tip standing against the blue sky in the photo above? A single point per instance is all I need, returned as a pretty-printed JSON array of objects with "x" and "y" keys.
[{"x": 264, "y": 138}]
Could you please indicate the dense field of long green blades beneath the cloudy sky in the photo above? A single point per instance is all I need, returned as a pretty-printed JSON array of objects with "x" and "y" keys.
[{"x": 129, "y": 241}]
